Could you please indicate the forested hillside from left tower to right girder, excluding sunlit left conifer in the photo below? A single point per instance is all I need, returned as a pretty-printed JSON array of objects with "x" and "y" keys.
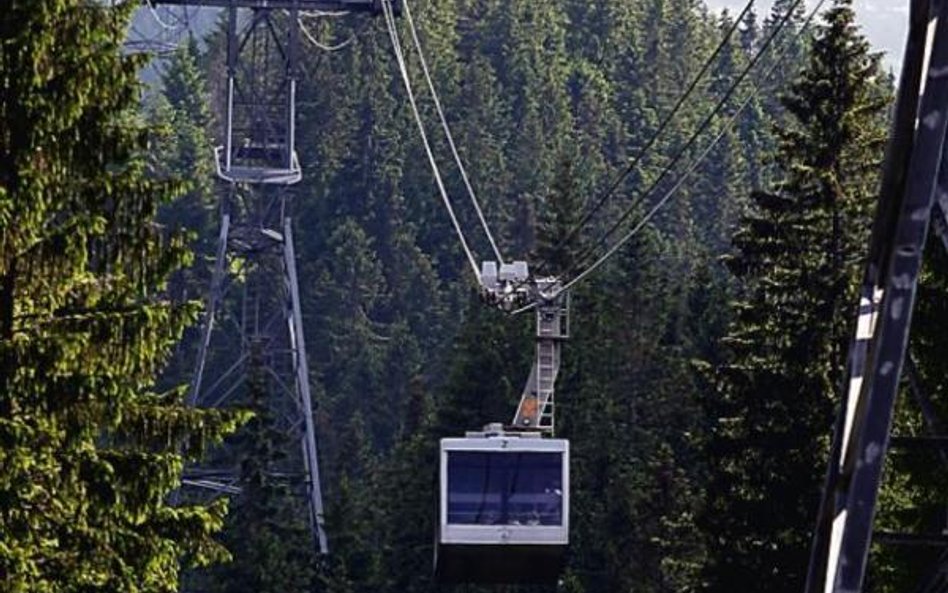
[{"x": 688, "y": 473}]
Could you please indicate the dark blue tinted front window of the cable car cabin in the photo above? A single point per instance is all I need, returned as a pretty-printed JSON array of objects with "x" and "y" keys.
[{"x": 505, "y": 488}]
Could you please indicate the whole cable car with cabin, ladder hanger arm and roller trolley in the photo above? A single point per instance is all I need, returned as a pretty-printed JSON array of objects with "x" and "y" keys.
[{"x": 504, "y": 492}]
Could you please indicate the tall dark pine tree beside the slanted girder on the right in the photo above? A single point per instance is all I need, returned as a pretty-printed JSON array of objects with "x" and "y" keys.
[{"x": 796, "y": 267}]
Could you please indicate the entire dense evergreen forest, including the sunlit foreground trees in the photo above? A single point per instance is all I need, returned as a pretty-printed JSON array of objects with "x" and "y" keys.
[{"x": 699, "y": 385}]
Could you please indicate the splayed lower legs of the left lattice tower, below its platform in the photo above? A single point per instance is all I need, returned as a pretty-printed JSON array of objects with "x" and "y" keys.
[{"x": 253, "y": 334}]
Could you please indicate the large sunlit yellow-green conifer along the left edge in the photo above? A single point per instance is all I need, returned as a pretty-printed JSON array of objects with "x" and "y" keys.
[{"x": 90, "y": 453}]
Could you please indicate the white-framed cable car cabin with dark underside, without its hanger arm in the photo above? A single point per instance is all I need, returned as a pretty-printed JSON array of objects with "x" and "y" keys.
[{"x": 504, "y": 509}]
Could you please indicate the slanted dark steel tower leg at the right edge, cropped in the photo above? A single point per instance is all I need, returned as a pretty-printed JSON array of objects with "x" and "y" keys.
[{"x": 913, "y": 199}]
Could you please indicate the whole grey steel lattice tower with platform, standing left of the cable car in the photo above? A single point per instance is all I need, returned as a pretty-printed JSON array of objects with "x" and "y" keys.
[{"x": 252, "y": 334}]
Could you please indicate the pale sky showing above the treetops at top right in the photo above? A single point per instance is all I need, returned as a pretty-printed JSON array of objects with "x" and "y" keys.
[{"x": 885, "y": 22}]
